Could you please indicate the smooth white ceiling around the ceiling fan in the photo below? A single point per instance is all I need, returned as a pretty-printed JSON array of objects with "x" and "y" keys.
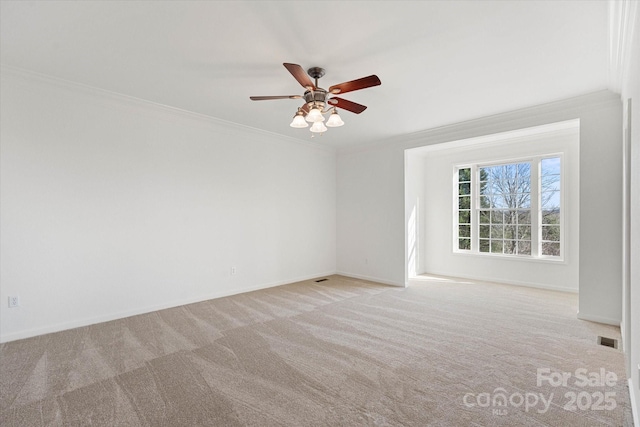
[{"x": 440, "y": 62}]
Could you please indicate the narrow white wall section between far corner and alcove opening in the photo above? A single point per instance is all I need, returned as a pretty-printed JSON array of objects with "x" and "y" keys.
[{"x": 370, "y": 211}]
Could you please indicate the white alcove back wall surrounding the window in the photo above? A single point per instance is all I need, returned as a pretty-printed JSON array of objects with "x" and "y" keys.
[{"x": 438, "y": 162}]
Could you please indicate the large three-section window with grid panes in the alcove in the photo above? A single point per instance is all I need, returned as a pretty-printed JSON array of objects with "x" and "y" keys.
[{"x": 510, "y": 208}]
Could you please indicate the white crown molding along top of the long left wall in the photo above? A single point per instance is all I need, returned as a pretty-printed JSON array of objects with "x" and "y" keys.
[{"x": 139, "y": 103}]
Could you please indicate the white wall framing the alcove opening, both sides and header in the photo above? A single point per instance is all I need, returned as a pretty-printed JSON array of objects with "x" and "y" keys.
[{"x": 371, "y": 180}]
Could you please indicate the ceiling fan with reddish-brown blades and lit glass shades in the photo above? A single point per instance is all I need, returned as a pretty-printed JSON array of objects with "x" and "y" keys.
[{"x": 317, "y": 99}]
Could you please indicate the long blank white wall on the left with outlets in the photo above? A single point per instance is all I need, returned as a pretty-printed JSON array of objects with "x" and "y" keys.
[{"x": 112, "y": 206}]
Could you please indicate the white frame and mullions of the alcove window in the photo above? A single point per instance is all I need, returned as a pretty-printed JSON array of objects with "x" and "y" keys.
[{"x": 535, "y": 162}]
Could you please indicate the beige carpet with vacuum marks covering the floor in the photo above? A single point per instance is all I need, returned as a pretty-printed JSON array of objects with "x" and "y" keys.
[{"x": 343, "y": 352}]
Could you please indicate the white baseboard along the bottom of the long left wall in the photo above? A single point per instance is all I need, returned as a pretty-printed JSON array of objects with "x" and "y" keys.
[{"x": 13, "y": 336}]
